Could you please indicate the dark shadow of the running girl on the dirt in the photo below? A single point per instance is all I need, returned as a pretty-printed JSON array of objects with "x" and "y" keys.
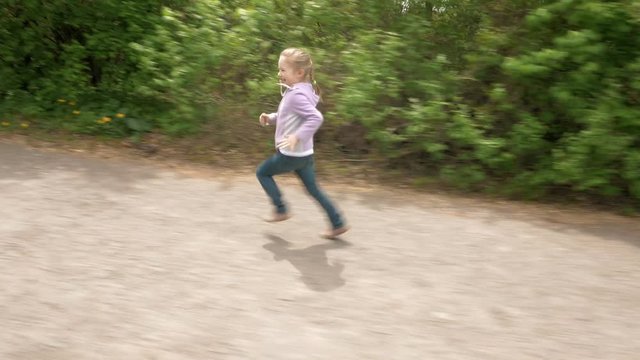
[{"x": 312, "y": 262}]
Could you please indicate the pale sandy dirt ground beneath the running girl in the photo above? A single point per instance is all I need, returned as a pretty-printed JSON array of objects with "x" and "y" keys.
[{"x": 129, "y": 259}]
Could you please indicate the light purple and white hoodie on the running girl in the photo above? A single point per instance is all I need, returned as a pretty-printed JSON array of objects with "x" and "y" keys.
[{"x": 297, "y": 114}]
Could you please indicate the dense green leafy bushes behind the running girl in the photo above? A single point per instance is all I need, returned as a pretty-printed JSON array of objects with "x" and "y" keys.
[{"x": 527, "y": 98}]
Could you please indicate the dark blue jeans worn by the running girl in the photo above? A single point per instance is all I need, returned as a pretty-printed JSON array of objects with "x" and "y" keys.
[{"x": 304, "y": 167}]
